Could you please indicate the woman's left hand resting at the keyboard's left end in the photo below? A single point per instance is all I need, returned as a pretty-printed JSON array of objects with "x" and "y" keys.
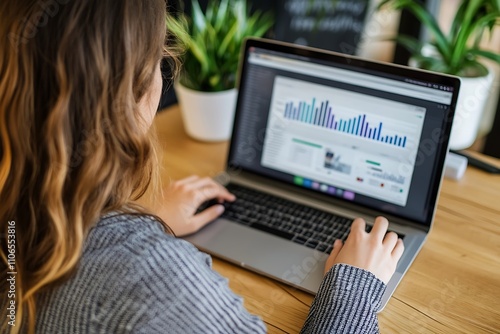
[{"x": 183, "y": 197}]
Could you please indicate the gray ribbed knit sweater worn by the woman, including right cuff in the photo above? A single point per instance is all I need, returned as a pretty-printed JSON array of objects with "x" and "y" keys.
[{"x": 134, "y": 278}]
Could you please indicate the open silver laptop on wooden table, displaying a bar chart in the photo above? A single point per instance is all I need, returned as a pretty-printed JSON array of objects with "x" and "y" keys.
[{"x": 319, "y": 139}]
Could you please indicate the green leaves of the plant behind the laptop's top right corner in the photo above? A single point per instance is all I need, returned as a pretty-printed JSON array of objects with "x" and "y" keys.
[{"x": 457, "y": 52}]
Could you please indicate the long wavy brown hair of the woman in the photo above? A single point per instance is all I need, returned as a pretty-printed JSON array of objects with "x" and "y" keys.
[{"x": 72, "y": 139}]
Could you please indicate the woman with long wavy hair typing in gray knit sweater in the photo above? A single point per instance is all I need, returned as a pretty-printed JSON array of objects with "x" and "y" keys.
[{"x": 79, "y": 85}]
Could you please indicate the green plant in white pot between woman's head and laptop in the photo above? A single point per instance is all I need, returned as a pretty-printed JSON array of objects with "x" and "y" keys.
[{"x": 206, "y": 88}]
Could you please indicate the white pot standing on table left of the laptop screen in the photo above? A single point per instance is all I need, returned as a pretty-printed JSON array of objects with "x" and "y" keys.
[{"x": 207, "y": 116}]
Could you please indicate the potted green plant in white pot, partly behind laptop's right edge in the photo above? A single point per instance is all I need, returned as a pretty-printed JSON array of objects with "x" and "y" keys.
[{"x": 458, "y": 53}]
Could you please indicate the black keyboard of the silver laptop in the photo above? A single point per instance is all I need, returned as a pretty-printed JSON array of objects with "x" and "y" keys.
[{"x": 286, "y": 219}]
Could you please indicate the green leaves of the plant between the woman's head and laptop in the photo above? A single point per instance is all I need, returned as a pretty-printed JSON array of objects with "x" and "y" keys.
[{"x": 212, "y": 42}]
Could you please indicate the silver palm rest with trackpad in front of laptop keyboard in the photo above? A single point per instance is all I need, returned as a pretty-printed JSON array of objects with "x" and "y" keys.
[{"x": 261, "y": 252}]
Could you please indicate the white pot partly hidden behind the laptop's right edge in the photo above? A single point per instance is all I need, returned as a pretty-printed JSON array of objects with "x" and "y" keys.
[{"x": 471, "y": 102}]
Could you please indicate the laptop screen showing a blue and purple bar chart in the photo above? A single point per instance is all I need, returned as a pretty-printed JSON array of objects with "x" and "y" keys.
[{"x": 357, "y": 131}]
